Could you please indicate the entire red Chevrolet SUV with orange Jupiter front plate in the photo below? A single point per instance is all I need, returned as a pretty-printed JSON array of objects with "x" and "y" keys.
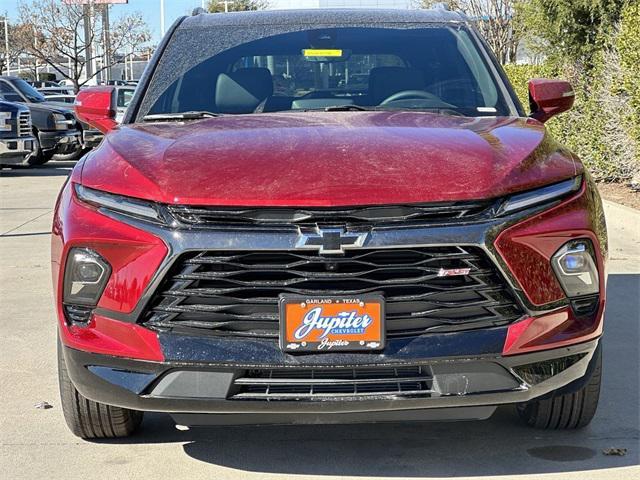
[{"x": 338, "y": 216}]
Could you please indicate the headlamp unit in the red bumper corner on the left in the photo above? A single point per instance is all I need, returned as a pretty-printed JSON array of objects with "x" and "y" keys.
[{"x": 85, "y": 276}]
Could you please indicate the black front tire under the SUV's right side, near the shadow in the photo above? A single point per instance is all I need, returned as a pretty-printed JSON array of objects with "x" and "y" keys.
[{"x": 566, "y": 411}]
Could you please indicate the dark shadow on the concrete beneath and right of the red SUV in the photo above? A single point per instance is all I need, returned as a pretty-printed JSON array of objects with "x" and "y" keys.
[{"x": 499, "y": 446}]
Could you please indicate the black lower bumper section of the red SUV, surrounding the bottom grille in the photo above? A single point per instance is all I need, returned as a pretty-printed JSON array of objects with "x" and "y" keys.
[{"x": 473, "y": 384}]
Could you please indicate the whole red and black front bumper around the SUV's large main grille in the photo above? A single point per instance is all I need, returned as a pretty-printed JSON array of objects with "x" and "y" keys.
[{"x": 471, "y": 369}]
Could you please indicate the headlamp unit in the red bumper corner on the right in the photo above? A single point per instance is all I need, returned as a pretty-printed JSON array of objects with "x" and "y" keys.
[{"x": 575, "y": 267}]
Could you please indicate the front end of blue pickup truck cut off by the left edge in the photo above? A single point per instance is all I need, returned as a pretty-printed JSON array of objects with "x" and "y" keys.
[{"x": 16, "y": 139}]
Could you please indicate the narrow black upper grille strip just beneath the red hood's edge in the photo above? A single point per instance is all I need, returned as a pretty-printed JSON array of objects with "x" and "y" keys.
[{"x": 207, "y": 217}]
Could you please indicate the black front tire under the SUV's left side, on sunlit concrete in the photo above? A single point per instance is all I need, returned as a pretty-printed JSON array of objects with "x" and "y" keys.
[{"x": 88, "y": 419}]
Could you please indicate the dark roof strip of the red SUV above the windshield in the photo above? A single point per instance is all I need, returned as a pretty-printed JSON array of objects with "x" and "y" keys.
[{"x": 322, "y": 17}]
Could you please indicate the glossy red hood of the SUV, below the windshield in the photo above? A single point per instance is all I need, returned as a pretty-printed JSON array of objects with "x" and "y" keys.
[{"x": 327, "y": 159}]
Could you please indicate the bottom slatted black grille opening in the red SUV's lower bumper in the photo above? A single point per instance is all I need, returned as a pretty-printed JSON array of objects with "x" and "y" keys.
[{"x": 326, "y": 383}]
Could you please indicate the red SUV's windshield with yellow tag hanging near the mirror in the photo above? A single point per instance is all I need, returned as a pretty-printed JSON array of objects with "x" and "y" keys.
[{"x": 430, "y": 67}]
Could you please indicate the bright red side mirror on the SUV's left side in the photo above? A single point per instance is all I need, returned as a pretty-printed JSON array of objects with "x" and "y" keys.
[{"x": 96, "y": 106}]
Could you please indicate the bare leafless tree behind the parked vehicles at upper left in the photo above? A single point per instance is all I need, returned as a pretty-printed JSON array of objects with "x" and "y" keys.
[{"x": 54, "y": 33}]
